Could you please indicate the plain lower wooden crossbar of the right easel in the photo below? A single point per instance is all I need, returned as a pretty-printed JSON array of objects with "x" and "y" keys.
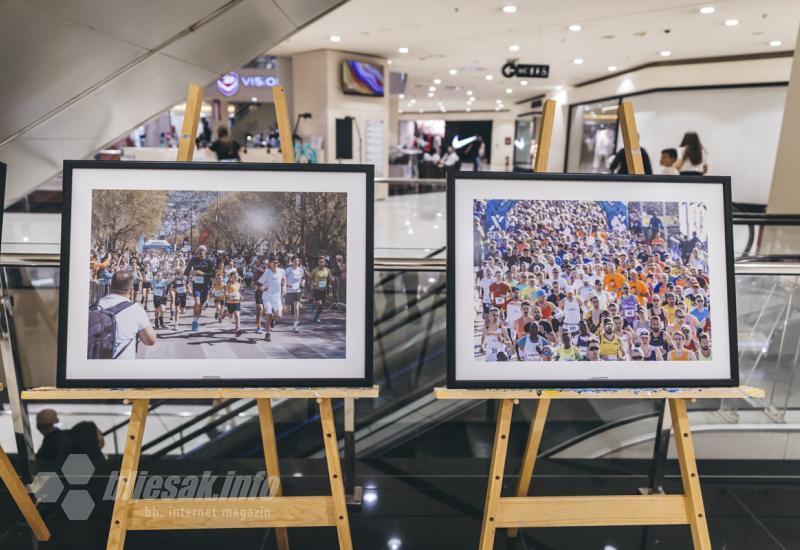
[{"x": 592, "y": 511}]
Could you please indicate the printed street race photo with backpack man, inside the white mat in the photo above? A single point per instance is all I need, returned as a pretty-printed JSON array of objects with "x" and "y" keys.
[{"x": 217, "y": 275}]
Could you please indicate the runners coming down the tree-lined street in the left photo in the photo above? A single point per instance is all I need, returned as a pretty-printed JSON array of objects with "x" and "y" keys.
[{"x": 172, "y": 281}]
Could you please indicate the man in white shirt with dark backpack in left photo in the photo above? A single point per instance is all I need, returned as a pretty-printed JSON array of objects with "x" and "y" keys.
[{"x": 115, "y": 323}]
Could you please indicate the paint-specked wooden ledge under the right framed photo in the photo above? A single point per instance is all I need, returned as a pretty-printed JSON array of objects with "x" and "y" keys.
[{"x": 739, "y": 392}]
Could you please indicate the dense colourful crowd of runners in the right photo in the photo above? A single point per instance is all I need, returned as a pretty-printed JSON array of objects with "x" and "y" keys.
[{"x": 558, "y": 282}]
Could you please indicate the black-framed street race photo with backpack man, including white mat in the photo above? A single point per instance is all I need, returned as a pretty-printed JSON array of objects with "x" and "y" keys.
[{"x": 215, "y": 274}]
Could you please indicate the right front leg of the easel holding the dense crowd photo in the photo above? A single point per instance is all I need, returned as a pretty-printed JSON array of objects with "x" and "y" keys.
[{"x": 689, "y": 475}]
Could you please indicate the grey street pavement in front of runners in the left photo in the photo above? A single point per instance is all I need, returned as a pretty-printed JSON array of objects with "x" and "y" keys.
[{"x": 217, "y": 340}]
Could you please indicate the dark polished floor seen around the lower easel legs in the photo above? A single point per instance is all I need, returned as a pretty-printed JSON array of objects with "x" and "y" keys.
[{"x": 436, "y": 504}]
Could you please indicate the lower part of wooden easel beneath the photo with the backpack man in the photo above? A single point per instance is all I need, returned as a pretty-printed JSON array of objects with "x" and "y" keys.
[{"x": 274, "y": 511}]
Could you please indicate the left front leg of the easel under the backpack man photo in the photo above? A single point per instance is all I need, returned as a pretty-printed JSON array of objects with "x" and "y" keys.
[{"x": 127, "y": 475}]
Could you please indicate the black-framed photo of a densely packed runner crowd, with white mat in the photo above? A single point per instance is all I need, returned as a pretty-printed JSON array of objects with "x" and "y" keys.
[{"x": 570, "y": 281}]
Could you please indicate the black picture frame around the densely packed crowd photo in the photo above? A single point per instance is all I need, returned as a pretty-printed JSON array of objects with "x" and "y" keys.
[{"x": 452, "y": 379}]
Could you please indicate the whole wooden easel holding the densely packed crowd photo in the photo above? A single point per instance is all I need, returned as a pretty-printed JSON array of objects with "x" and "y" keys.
[{"x": 524, "y": 511}]
